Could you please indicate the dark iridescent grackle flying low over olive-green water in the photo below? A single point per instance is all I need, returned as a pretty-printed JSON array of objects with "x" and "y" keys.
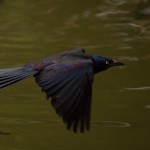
[{"x": 67, "y": 79}]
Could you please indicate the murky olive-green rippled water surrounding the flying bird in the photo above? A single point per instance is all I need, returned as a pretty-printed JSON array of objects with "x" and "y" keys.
[{"x": 34, "y": 29}]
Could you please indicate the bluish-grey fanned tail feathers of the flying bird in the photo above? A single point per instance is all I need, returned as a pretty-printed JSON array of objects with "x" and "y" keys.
[{"x": 12, "y": 75}]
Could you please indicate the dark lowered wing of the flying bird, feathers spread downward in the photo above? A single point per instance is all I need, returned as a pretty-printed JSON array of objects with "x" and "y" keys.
[{"x": 70, "y": 87}]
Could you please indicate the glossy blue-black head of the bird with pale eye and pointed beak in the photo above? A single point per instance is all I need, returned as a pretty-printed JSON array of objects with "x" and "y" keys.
[{"x": 101, "y": 63}]
